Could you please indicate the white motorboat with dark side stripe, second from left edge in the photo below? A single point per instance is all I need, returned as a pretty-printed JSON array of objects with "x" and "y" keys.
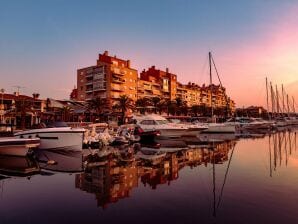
[{"x": 58, "y": 138}]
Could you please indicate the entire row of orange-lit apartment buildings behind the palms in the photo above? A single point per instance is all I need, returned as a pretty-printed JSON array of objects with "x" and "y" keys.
[{"x": 112, "y": 77}]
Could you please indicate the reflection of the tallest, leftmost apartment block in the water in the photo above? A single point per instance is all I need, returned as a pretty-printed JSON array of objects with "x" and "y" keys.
[{"x": 111, "y": 181}]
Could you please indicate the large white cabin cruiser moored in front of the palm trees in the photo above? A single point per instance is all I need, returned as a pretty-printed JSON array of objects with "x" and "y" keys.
[{"x": 167, "y": 130}]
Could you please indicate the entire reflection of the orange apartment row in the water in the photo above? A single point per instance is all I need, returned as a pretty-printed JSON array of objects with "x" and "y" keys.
[{"x": 112, "y": 179}]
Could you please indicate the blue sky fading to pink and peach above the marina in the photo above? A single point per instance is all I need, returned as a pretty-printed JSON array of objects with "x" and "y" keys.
[{"x": 44, "y": 42}]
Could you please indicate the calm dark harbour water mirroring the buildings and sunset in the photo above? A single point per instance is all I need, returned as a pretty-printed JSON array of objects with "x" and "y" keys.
[{"x": 252, "y": 180}]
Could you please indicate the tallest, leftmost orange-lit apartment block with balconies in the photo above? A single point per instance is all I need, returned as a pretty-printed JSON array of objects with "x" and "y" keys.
[{"x": 110, "y": 78}]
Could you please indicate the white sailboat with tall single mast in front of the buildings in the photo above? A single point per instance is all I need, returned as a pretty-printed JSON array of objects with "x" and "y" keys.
[{"x": 219, "y": 128}]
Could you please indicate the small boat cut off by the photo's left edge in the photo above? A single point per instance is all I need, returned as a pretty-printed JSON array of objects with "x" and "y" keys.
[{"x": 18, "y": 147}]
